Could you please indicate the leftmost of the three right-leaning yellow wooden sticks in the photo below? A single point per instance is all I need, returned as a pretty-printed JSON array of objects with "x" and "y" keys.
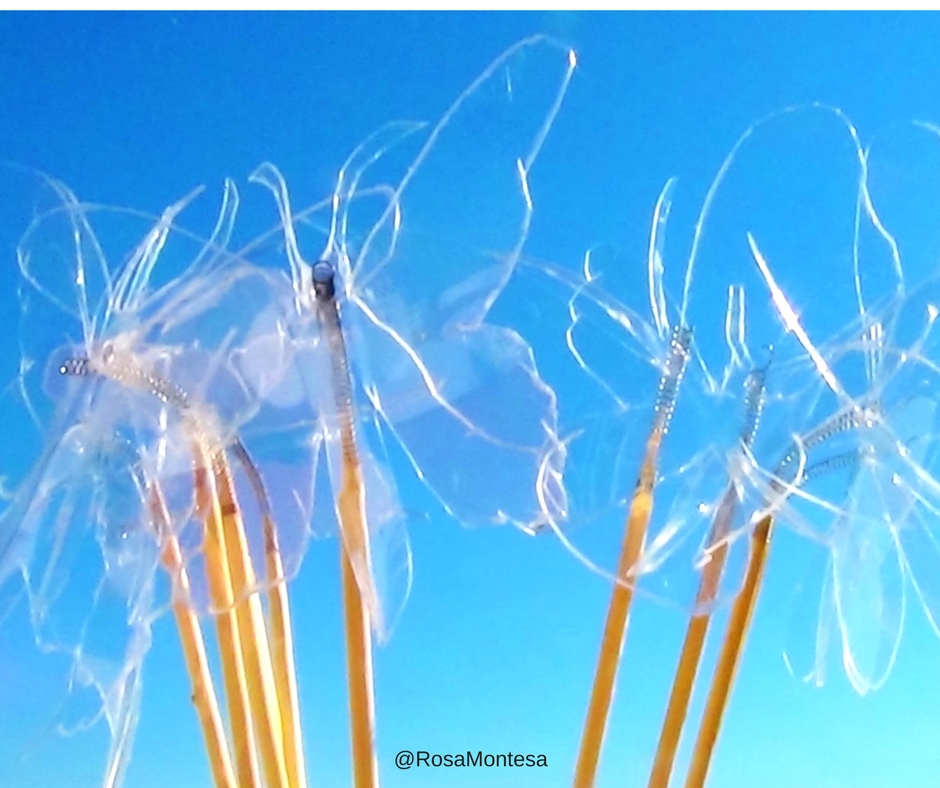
[{"x": 618, "y": 613}]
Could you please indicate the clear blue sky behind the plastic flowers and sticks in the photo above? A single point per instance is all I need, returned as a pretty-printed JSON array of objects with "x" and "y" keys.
[{"x": 496, "y": 648}]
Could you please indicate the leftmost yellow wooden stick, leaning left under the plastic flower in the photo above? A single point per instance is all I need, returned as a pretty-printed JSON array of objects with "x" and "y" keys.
[{"x": 194, "y": 648}]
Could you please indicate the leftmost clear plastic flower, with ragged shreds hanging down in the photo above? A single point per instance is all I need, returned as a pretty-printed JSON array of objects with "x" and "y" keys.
[{"x": 126, "y": 378}]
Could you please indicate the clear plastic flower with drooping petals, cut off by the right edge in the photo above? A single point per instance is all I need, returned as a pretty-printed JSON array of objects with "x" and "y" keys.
[{"x": 868, "y": 499}]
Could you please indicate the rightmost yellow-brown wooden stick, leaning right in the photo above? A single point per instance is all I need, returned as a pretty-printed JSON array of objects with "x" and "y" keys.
[{"x": 738, "y": 625}]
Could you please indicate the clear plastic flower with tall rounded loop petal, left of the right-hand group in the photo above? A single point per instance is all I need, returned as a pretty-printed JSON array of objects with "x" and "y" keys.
[{"x": 795, "y": 182}]
